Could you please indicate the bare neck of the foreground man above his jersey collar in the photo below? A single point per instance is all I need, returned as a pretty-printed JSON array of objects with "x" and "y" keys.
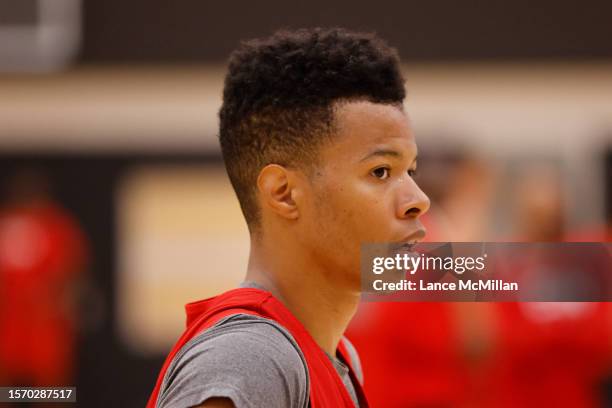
[{"x": 324, "y": 310}]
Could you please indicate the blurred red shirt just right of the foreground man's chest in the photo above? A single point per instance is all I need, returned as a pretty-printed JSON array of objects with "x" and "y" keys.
[{"x": 410, "y": 354}]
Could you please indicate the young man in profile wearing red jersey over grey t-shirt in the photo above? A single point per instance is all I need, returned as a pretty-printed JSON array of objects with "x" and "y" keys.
[{"x": 321, "y": 155}]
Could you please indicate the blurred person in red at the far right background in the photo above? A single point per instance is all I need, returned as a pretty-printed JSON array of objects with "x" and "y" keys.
[{"x": 548, "y": 353}]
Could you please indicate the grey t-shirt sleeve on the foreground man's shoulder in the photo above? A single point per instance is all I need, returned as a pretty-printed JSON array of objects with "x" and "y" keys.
[{"x": 251, "y": 361}]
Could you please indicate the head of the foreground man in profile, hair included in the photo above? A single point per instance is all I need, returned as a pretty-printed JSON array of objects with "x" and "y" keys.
[{"x": 316, "y": 142}]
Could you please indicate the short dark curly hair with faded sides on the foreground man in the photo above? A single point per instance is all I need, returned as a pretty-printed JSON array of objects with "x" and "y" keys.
[{"x": 280, "y": 93}]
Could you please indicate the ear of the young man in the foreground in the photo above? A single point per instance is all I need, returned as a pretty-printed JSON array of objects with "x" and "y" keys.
[{"x": 278, "y": 189}]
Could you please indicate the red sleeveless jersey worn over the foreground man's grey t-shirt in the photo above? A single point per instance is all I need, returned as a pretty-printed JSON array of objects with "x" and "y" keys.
[{"x": 326, "y": 386}]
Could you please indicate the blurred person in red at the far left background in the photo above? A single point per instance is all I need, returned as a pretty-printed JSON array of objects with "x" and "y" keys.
[{"x": 43, "y": 253}]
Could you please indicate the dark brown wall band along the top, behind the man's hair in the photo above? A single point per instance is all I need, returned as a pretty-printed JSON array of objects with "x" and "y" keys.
[{"x": 196, "y": 30}]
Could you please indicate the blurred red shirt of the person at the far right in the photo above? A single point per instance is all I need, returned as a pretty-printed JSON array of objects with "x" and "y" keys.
[{"x": 552, "y": 353}]
